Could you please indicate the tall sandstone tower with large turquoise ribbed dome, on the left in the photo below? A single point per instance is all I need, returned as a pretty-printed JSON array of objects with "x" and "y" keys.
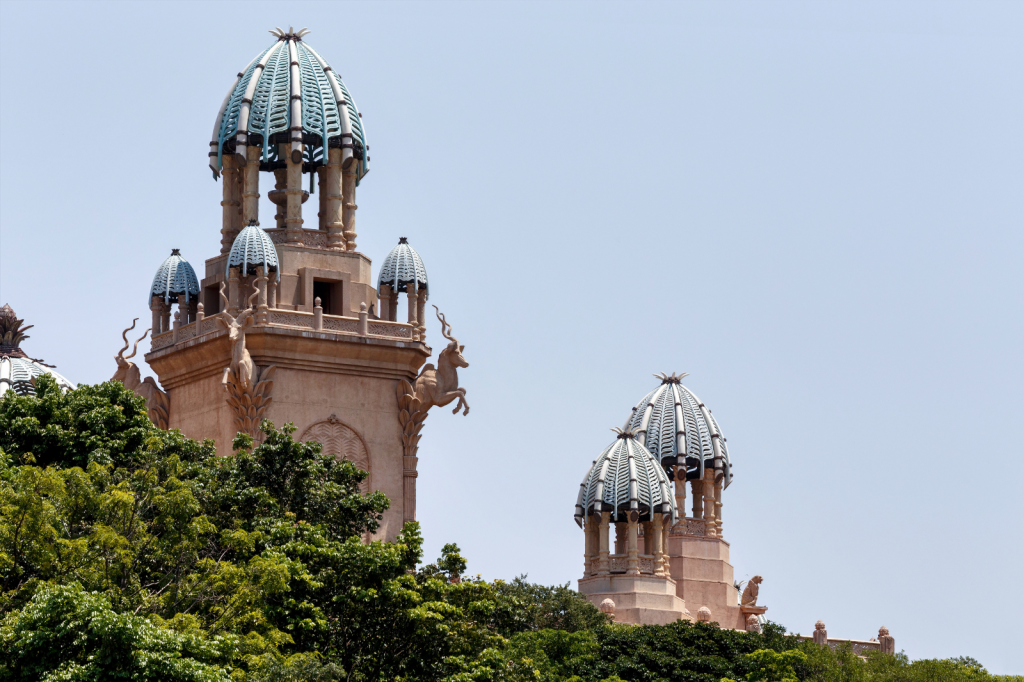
[{"x": 282, "y": 326}]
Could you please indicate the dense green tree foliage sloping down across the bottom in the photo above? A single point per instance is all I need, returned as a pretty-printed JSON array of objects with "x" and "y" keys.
[{"x": 131, "y": 553}]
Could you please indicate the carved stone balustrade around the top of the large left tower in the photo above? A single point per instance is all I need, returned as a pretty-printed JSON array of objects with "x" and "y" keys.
[{"x": 334, "y": 325}]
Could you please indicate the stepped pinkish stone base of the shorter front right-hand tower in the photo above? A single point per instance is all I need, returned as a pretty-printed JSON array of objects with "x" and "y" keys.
[{"x": 639, "y": 600}]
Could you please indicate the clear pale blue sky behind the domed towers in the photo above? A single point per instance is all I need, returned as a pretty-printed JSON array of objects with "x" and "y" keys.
[{"x": 816, "y": 209}]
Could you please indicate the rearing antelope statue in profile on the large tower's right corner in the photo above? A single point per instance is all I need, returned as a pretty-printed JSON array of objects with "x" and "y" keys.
[{"x": 435, "y": 387}]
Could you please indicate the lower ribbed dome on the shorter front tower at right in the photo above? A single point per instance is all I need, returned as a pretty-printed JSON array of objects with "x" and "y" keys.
[{"x": 626, "y": 478}]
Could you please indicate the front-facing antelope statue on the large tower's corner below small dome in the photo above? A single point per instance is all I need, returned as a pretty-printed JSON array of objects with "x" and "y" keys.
[{"x": 248, "y": 387}]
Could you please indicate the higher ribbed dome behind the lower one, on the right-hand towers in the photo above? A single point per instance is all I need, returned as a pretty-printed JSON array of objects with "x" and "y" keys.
[{"x": 678, "y": 430}]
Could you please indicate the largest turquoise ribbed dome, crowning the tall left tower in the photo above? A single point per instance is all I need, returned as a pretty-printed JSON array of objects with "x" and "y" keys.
[{"x": 289, "y": 84}]
